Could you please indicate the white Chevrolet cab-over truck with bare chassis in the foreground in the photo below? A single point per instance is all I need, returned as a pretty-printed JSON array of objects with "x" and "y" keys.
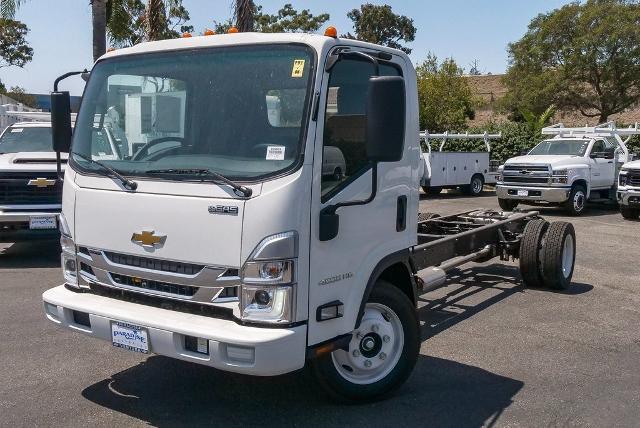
[{"x": 228, "y": 245}]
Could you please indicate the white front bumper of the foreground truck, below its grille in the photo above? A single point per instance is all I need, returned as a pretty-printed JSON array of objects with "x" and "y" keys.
[{"x": 232, "y": 347}]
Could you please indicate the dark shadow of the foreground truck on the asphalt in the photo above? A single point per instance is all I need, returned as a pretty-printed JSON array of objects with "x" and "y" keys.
[{"x": 166, "y": 392}]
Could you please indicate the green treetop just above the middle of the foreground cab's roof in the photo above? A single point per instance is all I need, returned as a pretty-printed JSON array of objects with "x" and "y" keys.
[{"x": 286, "y": 20}]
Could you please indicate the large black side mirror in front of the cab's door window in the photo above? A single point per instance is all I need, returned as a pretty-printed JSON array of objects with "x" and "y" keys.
[{"x": 385, "y": 118}]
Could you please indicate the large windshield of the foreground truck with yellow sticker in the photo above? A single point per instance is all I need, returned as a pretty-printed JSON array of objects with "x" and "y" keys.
[{"x": 237, "y": 111}]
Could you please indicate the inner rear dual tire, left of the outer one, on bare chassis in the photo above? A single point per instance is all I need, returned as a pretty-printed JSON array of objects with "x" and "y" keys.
[{"x": 531, "y": 253}]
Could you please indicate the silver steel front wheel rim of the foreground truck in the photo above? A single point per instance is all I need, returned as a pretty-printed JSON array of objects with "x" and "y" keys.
[{"x": 372, "y": 358}]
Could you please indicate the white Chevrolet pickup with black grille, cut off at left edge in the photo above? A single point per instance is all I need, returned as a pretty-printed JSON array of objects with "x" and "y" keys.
[{"x": 30, "y": 193}]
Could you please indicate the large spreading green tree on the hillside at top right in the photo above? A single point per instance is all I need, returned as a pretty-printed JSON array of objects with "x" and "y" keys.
[{"x": 582, "y": 56}]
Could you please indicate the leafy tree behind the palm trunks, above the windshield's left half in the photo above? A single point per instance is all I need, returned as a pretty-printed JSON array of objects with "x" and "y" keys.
[{"x": 127, "y": 21}]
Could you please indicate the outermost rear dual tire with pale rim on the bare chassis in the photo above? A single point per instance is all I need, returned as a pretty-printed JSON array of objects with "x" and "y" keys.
[{"x": 559, "y": 255}]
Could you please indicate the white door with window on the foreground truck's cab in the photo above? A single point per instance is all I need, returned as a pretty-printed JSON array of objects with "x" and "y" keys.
[{"x": 340, "y": 267}]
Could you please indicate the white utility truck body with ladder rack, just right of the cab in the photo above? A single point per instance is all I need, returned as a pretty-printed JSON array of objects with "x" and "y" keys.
[{"x": 468, "y": 171}]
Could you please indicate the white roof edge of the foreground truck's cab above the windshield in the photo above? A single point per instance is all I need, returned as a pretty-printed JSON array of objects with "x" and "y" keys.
[{"x": 316, "y": 41}]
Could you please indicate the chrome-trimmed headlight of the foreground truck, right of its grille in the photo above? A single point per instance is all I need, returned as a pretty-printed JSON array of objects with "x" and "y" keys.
[{"x": 269, "y": 281}]
